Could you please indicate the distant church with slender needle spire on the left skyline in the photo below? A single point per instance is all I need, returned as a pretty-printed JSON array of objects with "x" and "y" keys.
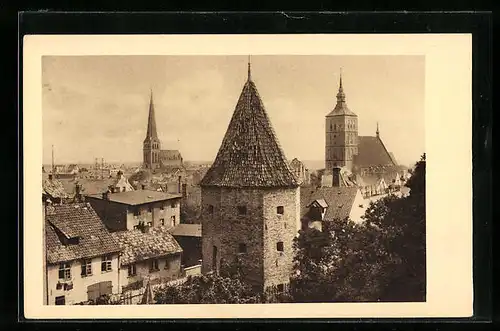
[{"x": 153, "y": 156}]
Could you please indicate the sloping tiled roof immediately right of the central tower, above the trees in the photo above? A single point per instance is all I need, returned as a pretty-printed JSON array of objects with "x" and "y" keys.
[{"x": 340, "y": 201}]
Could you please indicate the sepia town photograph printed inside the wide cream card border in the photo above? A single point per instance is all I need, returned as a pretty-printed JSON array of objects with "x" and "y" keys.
[{"x": 226, "y": 179}]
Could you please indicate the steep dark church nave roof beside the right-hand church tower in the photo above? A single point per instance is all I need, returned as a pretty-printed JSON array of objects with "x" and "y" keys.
[{"x": 372, "y": 152}]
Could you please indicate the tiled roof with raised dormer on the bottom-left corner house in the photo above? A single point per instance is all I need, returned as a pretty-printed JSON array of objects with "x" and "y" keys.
[{"x": 76, "y": 220}]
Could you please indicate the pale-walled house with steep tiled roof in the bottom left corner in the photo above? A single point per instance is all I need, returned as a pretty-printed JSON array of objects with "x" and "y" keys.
[{"x": 81, "y": 255}]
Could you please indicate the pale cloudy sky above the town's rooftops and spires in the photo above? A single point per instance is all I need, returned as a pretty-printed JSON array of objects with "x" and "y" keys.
[{"x": 97, "y": 106}]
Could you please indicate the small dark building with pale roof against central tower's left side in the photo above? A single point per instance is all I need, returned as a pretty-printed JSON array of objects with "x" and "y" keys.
[{"x": 189, "y": 237}]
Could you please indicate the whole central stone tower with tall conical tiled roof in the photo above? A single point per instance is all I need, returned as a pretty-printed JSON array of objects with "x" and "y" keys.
[{"x": 250, "y": 199}]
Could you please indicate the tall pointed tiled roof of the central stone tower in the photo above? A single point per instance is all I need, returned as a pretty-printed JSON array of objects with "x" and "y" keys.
[{"x": 250, "y": 154}]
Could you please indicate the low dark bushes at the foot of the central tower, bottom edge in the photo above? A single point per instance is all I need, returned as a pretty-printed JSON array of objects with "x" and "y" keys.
[{"x": 225, "y": 287}]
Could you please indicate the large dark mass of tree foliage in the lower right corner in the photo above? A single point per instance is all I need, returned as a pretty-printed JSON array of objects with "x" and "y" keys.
[{"x": 382, "y": 259}]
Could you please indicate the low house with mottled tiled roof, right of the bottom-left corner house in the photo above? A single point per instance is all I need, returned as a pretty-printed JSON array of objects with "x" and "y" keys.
[{"x": 147, "y": 254}]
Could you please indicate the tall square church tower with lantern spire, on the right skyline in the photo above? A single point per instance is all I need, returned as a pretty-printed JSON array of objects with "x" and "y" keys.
[{"x": 341, "y": 129}]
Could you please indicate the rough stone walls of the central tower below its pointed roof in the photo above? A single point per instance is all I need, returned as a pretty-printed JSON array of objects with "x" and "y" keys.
[{"x": 259, "y": 230}]
